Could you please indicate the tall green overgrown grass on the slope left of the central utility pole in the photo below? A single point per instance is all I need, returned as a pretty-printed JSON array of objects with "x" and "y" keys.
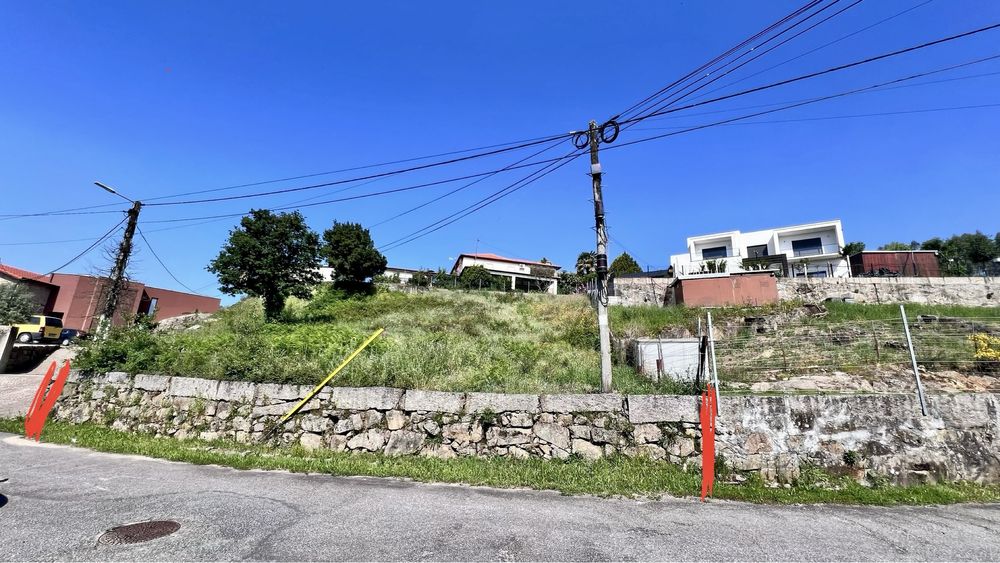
[{"x": 444, "y": 340}]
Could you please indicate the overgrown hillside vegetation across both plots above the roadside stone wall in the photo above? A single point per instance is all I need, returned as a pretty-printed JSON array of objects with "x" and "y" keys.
[{"x": 526, "y": 343}]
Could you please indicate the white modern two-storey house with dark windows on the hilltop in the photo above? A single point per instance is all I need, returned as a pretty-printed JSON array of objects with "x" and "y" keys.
[{"x": 809, "y": 250}]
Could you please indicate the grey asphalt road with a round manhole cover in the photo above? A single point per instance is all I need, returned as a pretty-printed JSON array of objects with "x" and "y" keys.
[{"x": 61, "y": 499}]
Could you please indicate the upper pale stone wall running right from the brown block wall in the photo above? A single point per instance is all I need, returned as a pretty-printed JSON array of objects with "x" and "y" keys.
[{"x": 975, "y": 292}]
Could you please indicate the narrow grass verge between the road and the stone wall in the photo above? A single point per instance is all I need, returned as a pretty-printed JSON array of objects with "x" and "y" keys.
[{"x": 618, "y": 476}]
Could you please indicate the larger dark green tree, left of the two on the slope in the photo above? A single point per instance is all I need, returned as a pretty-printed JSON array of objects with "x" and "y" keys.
[{"x": 271, "y": 256}]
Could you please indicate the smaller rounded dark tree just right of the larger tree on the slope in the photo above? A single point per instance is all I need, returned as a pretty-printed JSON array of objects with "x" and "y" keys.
[{"x": 350, "y": 251}]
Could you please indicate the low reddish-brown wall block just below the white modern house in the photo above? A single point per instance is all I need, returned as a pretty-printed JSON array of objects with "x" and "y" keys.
[{"x": 749, "y": 289}]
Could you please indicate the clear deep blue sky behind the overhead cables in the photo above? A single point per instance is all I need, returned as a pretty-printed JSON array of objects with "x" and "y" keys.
[{"x": 160, "y": 98}]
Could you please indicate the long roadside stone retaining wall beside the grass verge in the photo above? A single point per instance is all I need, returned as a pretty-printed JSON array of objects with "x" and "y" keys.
[{"x": 772, "y": 436}]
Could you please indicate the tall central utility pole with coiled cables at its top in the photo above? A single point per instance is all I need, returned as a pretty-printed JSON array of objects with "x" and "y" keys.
[{"x": 604, "y": 330}]
